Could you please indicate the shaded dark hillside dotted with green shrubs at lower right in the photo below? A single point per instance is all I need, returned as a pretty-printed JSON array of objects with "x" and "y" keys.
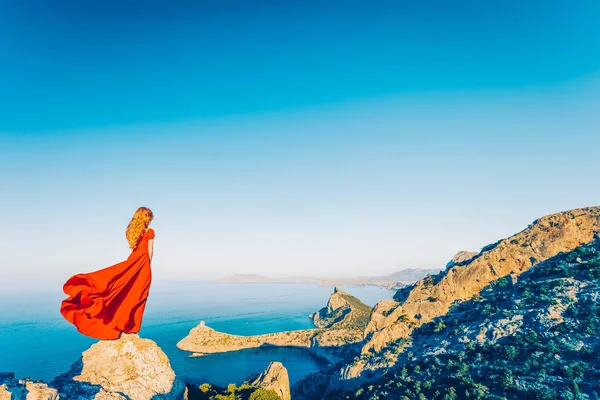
[{"x": 533, "y": 336}]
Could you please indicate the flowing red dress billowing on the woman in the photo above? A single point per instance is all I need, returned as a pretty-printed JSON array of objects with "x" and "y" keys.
[{"x": 104, "y": 303}]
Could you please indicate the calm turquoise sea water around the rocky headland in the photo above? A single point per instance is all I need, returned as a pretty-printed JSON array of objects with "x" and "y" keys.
[{"x": 36, "y": 342}]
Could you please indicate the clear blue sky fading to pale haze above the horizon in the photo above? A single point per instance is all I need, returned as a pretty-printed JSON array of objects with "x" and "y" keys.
[{"x": 288, "y": 139}]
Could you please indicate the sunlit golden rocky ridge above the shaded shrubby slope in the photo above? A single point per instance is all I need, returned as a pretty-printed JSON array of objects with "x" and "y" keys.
[{"x": 433, "y": 296}]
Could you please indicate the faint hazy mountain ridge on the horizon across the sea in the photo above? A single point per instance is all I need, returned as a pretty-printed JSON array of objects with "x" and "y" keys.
[{"x": 395, "y": 280}]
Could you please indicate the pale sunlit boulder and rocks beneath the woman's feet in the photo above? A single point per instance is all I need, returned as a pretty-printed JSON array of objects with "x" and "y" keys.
[{"x": 127, "y": 368}]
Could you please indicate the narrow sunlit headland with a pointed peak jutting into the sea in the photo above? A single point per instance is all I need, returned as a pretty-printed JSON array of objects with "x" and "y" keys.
[{"x": 339, "y": 324}]
